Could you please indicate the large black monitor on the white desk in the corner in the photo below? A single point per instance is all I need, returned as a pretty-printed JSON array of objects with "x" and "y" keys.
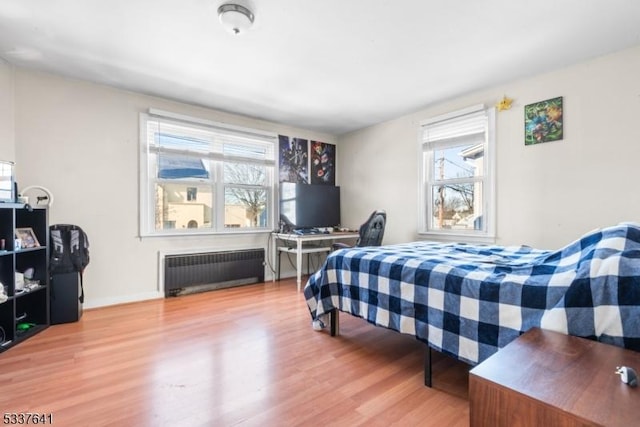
[{"x": 309, "y": 206}]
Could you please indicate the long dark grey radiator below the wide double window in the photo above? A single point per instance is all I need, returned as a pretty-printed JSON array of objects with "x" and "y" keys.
[{"x": 199, "y": 272}]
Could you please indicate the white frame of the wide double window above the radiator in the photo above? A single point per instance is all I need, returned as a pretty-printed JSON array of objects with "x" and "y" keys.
[{"x": 148, "y": 177}]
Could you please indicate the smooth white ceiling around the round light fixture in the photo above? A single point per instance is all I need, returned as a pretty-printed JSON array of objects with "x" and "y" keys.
[{"x": 326, "y": 65}]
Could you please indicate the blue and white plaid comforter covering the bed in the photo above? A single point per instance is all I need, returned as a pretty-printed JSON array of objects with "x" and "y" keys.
[{"x": 469, "y": 301}]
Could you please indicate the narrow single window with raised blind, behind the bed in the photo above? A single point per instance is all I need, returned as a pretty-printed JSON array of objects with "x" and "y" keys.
[{"x": 457, "y": 175}]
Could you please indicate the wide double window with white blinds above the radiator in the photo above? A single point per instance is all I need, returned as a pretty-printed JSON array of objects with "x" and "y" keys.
[{"x": 199, "y": 176}]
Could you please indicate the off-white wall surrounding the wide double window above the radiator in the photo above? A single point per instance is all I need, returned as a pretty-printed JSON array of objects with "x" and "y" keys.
[{"x": 80, "y": 140}]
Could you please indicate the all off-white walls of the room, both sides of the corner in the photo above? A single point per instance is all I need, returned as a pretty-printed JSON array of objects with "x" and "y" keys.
[{"x": 81, "y": 141}]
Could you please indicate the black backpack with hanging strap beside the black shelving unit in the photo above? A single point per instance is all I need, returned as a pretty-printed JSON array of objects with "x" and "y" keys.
[{"x": 69, "y": 251}]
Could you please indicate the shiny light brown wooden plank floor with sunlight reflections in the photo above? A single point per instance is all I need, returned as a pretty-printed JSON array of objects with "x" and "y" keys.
[{"x": 240, "y": 356}]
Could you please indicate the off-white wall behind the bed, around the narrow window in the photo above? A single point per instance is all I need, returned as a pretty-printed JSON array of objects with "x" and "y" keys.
[{"x": 547, "y": 194}]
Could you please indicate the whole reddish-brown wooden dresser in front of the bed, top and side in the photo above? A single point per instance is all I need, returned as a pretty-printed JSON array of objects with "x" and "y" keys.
[{"x": 549, "y": 379}]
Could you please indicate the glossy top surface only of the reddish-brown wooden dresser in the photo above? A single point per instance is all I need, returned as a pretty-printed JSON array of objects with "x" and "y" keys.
[{"x": 575, "y": 375}]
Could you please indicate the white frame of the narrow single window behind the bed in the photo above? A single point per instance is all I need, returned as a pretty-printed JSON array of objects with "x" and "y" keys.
[{"x": 427, "y": 183}]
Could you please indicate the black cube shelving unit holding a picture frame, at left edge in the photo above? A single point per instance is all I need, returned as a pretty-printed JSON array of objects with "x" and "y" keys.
[{"x": 26, "y": 311}]
